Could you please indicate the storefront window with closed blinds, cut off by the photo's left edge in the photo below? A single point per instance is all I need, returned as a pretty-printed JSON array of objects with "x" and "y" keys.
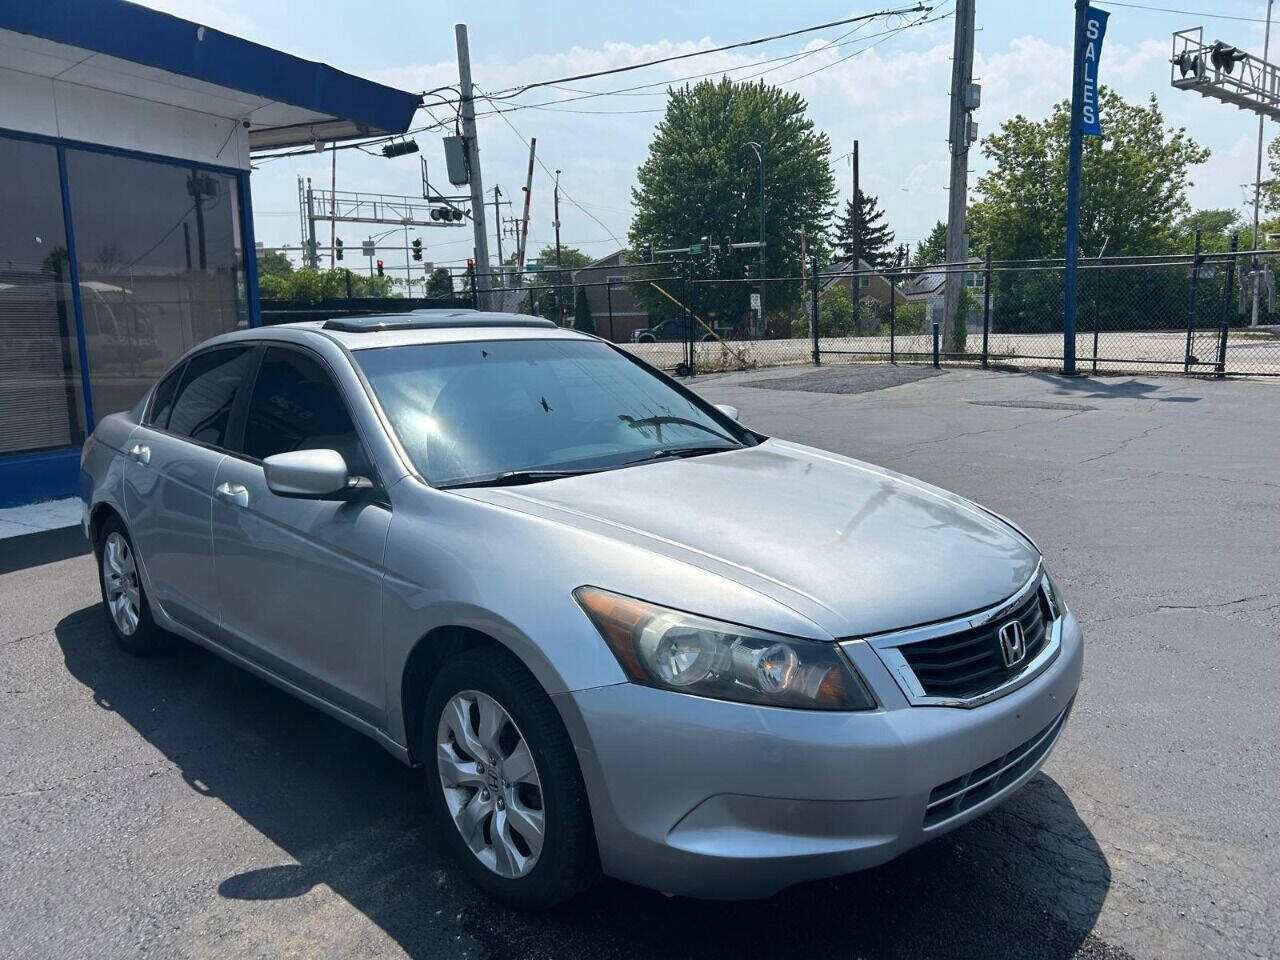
[{"x": 42, "y": 404}]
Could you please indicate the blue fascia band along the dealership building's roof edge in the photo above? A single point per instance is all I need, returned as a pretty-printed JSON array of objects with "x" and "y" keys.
[{"x": 168, "y": 43}]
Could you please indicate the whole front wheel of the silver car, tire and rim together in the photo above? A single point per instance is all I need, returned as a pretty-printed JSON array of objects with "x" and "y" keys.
[{"x": 500, "y": 857}]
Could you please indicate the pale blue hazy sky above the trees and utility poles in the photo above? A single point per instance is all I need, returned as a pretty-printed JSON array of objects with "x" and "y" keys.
[{"x": 889, "y": 90}]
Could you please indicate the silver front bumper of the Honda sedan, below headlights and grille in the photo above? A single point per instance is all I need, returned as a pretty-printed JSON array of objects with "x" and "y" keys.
[{"x": 725, "y": 801}]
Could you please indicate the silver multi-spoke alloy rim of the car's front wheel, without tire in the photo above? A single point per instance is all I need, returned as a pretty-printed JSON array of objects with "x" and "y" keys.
[{"x": 491, "y": 784}]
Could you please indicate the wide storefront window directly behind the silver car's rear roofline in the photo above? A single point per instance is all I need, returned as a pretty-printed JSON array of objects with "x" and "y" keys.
[{"x": 162, "y": 267}]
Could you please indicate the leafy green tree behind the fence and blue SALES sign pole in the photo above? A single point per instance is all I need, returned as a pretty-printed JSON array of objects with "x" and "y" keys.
[{"x": 1133, "y": 191}]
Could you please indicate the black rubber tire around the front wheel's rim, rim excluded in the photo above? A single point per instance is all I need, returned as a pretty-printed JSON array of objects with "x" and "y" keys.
[{"x": 568, "y": 863}]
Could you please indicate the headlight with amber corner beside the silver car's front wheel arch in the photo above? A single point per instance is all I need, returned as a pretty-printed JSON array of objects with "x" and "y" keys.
[{"x": 674, "y": 651}]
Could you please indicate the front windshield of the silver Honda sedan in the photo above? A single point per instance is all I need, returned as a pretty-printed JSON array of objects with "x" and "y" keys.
[{"x": 496, "y": 412}]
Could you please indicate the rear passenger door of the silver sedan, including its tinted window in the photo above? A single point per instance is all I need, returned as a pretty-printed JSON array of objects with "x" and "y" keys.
[{"x": 170, "y": 481}]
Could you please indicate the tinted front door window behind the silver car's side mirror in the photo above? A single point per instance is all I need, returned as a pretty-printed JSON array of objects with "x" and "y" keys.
[{"x": 296, "y": 406}]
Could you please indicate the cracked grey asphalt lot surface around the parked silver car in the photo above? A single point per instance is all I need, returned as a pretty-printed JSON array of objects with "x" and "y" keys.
[{"x": 180, "y": 808}]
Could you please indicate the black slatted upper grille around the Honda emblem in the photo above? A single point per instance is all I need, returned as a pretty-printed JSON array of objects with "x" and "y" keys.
[{"x": 970, "y": 664}]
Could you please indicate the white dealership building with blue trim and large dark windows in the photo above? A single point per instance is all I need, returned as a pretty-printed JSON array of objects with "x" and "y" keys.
[{"x": 126, "y": 226}]
